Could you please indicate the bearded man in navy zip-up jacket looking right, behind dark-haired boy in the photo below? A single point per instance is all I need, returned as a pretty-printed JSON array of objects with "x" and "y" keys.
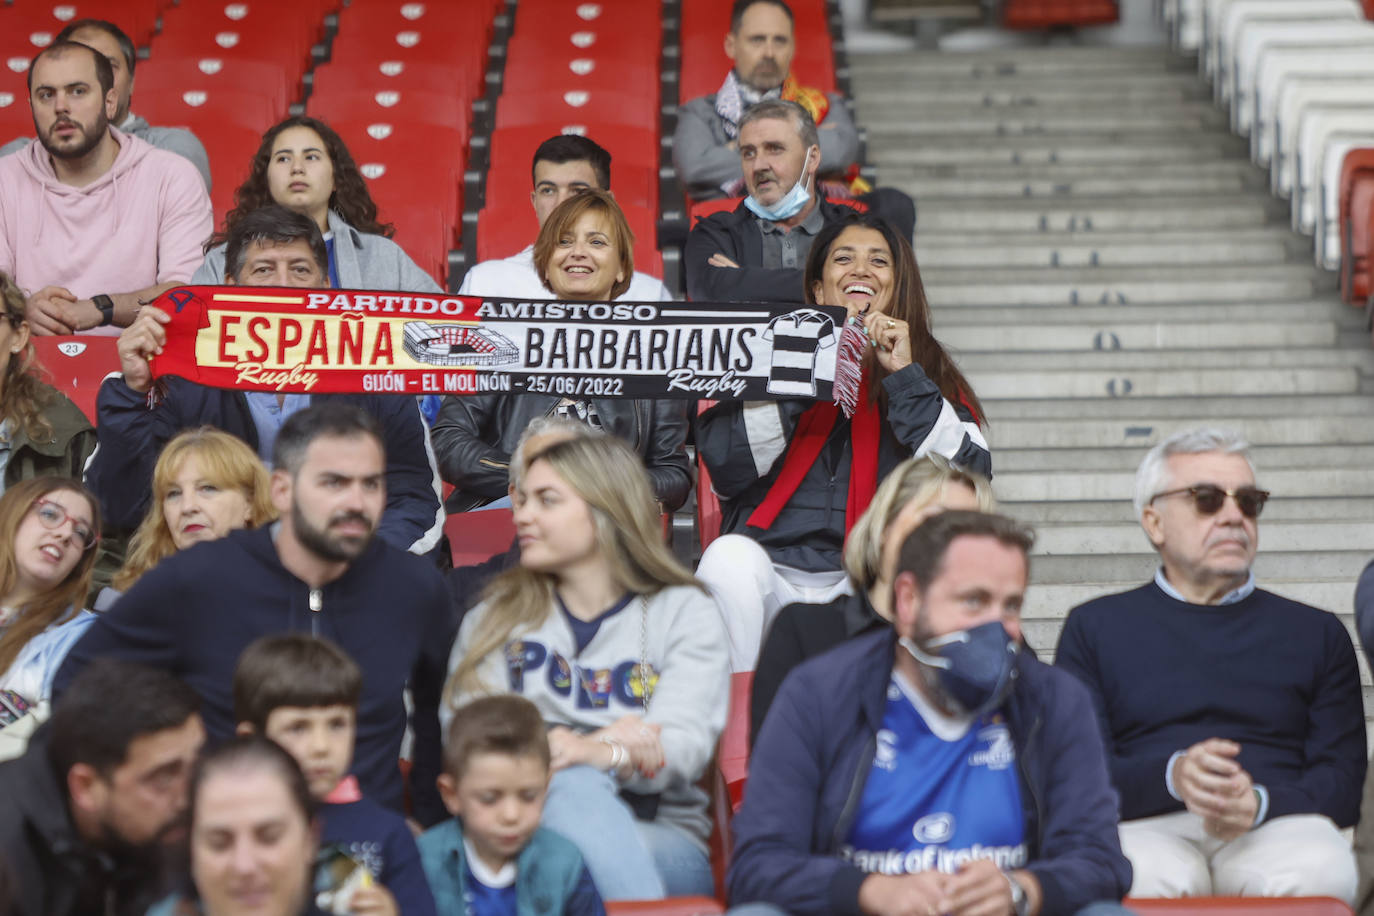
[{"x": 319, "y": 569}]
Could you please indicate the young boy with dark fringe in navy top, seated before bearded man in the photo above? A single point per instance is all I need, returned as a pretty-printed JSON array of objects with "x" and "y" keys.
[{"x": 303, "y": 693}]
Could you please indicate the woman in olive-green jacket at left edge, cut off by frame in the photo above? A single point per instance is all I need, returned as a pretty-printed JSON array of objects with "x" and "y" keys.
[{"x": 42, "y": 433}]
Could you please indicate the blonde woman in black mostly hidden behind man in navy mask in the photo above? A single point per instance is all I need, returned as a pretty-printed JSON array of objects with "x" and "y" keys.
[{"x": 912, "y": 494}]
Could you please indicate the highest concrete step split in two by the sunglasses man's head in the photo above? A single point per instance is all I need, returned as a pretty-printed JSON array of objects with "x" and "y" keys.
[{"x": 1127, "y": 458}]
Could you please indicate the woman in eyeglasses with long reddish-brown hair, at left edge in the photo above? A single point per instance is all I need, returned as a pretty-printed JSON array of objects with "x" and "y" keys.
[{"x": 49, "y": 528}]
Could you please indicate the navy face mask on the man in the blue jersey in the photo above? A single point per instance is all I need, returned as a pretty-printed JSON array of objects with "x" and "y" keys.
[{"x": 975, "y": 668}]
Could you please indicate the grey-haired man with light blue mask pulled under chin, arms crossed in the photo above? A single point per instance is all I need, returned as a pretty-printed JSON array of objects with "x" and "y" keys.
[{"x": 756, "y": 252}]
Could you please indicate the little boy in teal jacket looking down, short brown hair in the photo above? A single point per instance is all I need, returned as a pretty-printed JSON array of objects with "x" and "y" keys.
[{"x": 494, "y": 859}]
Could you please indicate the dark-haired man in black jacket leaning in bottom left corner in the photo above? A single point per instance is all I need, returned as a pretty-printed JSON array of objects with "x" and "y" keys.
[{"x": 87, "y": 814}]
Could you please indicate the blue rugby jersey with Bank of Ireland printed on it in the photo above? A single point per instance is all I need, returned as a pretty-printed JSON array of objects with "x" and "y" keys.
[{"x": 938, "y": 799}]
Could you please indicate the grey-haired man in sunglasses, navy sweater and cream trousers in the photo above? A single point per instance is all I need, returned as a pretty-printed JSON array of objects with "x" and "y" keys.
[{"x": 1232, "y": 716}]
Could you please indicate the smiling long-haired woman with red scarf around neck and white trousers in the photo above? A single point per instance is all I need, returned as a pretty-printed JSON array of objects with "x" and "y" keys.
[{"x": 795, "y": 476}]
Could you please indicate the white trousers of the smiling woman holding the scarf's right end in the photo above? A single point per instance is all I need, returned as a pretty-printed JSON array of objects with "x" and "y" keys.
[{"x": 751, "y": 591}]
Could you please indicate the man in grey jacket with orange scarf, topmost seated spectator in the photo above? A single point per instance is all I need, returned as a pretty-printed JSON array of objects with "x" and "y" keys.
[{"x": 707, "y": 142}]
